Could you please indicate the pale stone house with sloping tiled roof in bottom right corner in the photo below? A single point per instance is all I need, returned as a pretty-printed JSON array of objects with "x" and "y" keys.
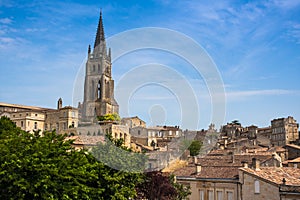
[{"x": 272, "y": 183}]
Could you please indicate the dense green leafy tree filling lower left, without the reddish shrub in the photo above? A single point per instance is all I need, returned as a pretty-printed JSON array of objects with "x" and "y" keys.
[{"x": 48, "y": 167}]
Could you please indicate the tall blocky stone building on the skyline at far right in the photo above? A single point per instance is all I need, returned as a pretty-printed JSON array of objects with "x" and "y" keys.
[{"x": 284, "y": 131}]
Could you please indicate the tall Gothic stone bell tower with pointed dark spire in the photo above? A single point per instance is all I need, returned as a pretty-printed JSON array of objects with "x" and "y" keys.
[{"x": 99, "y": 85}]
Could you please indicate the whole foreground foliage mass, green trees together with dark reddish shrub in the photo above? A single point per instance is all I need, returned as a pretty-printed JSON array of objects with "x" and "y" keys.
[{"x": 47, "y": 167}]
